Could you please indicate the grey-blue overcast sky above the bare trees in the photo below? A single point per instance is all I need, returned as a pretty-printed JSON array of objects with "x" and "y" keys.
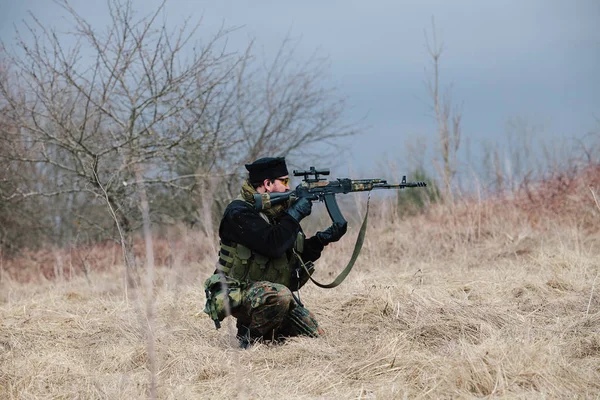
[{"x": 537, "y": 60}]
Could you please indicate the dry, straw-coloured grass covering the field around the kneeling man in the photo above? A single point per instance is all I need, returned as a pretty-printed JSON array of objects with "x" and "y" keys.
[{"x": 493, "y": 299}]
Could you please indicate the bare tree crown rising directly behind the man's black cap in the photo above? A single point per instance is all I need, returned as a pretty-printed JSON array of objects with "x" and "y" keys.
[{"x": 283, "y": 108}]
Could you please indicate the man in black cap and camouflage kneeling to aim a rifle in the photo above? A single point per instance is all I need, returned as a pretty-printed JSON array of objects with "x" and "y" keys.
[{"x": 259, "y": 259}]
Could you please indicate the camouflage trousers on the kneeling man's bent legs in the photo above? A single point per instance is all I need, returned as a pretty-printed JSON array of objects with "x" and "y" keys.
[{"x": 269, "y": 311}]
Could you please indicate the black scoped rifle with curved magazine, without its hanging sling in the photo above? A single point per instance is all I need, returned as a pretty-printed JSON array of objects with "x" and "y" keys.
[{"x": 318, "y": 189}]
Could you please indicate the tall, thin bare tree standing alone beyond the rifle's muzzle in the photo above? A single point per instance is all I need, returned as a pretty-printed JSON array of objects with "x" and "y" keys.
[{"x": 448, "y": 118}]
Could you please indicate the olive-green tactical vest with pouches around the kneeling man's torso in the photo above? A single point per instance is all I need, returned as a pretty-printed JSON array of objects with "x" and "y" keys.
[{"x": 239, "y": 262}]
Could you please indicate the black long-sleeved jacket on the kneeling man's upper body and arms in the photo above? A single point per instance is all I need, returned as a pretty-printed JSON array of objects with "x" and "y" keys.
[{"x": 242, "y": 224}]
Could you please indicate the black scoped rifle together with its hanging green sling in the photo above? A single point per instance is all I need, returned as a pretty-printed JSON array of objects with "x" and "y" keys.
[{"x": 315, "y": 188}]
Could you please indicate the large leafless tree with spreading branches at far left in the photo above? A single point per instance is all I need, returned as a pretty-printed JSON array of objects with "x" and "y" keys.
[{"x": 106, "y": 114}]
